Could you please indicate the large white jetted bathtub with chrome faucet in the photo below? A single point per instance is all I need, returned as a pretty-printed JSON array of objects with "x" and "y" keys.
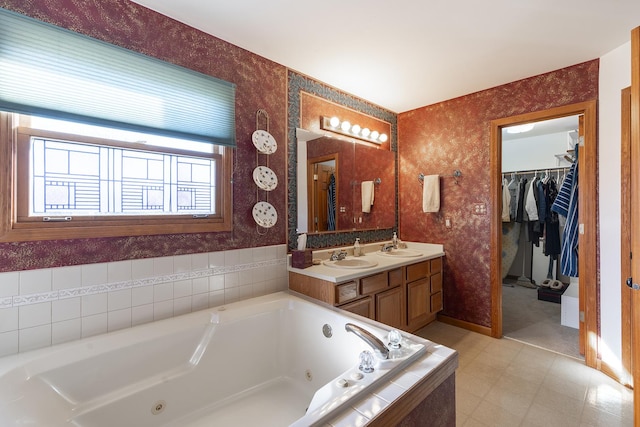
[{"x": 265, "y": 361}]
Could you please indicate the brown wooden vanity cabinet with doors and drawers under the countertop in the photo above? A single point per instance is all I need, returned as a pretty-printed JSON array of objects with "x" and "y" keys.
[{"x": 406, "y": 297}]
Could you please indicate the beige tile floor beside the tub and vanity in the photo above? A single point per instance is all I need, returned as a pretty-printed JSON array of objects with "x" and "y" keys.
[{"x": 508, "y": 383}]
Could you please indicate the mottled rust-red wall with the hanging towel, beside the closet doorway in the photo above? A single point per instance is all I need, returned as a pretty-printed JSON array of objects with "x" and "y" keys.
[{"x": 455, "y": 134}]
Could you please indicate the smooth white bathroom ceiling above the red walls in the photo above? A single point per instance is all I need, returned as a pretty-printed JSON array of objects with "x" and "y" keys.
[{"x": 407, "y": 54}]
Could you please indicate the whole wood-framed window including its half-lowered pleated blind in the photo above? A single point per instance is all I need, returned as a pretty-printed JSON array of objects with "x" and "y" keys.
[{"x": 166, "y": 167}]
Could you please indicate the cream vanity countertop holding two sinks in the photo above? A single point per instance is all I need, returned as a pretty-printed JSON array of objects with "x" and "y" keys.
[{"x": 372, "y": 252}]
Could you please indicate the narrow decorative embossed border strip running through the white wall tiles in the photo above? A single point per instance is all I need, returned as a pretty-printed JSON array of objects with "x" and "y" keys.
[{"x": 37, "y": 298}]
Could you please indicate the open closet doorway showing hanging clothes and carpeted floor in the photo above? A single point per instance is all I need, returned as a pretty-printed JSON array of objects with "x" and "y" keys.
[{"x": 539, "y": 302}]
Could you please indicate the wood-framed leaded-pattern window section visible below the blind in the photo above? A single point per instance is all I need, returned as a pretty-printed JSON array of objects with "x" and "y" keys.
[{"x": 75, "y": 180}]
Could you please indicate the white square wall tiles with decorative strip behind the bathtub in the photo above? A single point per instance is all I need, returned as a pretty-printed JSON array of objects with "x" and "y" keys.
[{"x": 44, "y": 307}]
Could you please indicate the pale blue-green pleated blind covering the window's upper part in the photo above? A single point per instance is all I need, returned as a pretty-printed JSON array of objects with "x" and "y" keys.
[{"x": 53, "y": 72}]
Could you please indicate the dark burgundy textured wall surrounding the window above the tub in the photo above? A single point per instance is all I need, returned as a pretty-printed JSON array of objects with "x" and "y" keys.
[{"x": 261, "y": 84}]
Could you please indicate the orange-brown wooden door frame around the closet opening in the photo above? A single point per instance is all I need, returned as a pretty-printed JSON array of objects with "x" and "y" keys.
[{"x": 587, "y": 214}]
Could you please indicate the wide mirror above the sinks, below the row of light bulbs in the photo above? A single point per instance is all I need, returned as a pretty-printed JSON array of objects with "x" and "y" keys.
[{"x": 334, "y": 170}]
